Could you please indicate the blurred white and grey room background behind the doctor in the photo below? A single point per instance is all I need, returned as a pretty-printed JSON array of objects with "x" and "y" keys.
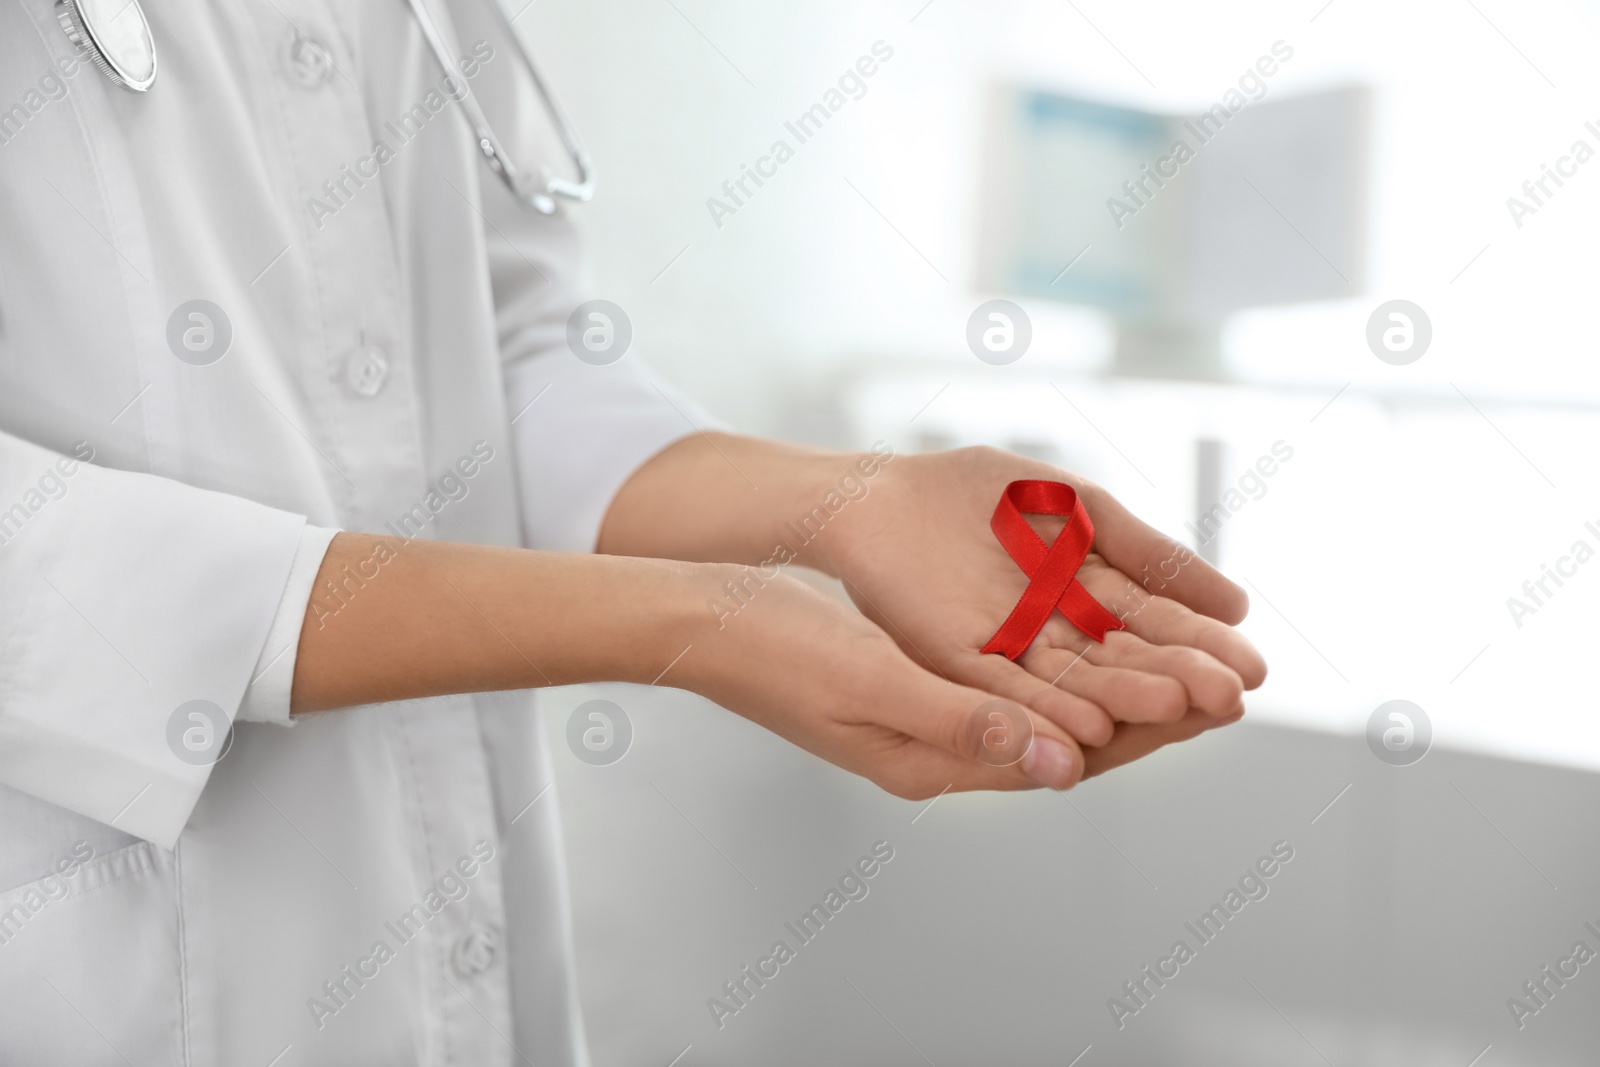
[{"x": 1358, "y": 154}]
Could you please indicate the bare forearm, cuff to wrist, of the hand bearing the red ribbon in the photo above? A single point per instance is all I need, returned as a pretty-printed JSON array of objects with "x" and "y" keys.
[{"x": 740, "y": 500}]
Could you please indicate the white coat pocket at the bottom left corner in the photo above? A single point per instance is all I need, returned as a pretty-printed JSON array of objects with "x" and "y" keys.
[{"x": 90, "y": 967}]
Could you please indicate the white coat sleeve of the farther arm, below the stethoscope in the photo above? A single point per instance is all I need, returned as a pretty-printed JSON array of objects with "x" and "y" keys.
[{"x": 580, "y": 431}]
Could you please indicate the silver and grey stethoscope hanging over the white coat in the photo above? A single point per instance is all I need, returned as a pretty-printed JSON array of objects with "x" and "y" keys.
[{"x": 118, "y": 38}]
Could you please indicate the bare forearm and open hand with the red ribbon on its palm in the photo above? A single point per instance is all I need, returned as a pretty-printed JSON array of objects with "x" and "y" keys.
[{"x": 910, "y": 538}]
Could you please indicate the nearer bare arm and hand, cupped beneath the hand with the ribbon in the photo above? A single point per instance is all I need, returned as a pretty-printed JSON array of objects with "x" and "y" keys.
[{"x": 454, "y": 618}]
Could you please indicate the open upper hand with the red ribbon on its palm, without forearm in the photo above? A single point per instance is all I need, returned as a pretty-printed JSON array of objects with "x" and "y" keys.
[{"x": 919, "y": 559}]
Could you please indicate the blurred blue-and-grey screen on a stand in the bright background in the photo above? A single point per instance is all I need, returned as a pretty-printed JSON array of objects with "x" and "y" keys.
[{"x": 1170, "y": 223}]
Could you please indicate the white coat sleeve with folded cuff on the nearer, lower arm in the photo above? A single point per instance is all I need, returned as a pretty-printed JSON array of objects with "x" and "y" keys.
[{"x": 126, "y": 597}]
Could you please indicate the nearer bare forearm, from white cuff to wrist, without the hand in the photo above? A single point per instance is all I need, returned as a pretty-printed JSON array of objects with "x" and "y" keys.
[{"x": 422, "y": 618}]
